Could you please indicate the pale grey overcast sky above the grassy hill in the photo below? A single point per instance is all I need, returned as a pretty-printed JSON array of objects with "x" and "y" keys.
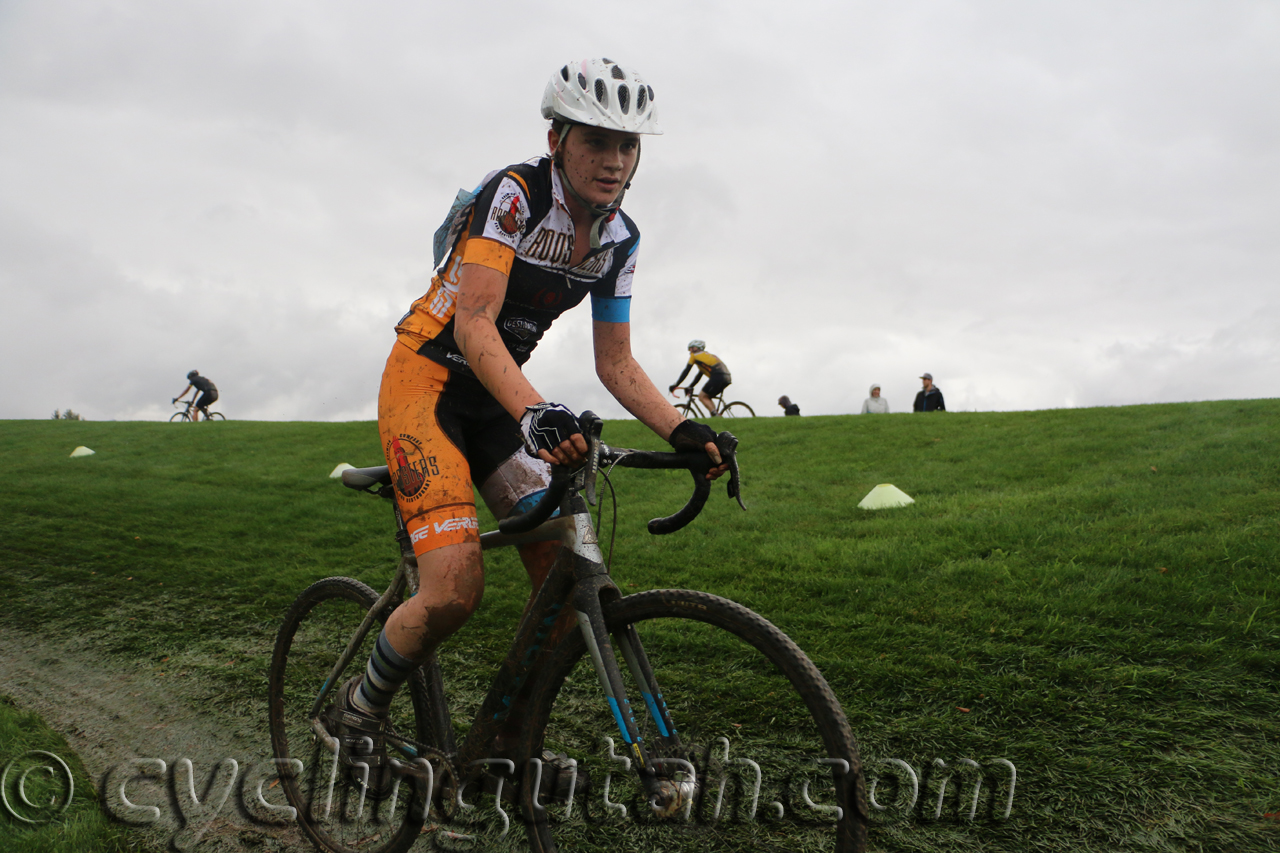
[{"x": 1044, "y": 204}]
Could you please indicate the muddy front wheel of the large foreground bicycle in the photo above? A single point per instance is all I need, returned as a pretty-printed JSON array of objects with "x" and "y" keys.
[{"x": 762, "y": 752}]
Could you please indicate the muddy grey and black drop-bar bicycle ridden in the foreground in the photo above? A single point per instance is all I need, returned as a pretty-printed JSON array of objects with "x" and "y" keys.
[{"x": 666, "y": 720}]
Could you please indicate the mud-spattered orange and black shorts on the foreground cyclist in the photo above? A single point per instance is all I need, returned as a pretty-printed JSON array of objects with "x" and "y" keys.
[{"x": 442, "y": 432}]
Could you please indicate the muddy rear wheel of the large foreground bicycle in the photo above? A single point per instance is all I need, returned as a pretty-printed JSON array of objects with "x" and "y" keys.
[{"x": 331, "y": 810}]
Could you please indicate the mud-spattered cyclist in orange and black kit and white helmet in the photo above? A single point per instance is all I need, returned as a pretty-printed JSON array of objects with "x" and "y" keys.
[{"x": 455, "y": 410}]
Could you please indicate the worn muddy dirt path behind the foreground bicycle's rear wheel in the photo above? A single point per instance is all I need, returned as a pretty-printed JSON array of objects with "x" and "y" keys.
[{"x": 113, "y": 715}]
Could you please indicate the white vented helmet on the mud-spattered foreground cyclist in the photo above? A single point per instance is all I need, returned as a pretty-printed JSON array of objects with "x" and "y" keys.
[{"x": 602, "y": 94}]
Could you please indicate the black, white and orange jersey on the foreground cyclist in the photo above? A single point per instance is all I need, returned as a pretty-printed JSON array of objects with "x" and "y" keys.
[{"x": 522, "y": 227}]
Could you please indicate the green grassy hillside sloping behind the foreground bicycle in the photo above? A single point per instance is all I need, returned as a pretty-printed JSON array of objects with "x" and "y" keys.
[{"x": 1090, "y": 595}]
